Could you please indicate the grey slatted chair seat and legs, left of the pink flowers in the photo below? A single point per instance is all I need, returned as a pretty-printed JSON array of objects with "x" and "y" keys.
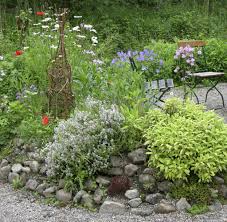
[{"x": 156, "y": 89}]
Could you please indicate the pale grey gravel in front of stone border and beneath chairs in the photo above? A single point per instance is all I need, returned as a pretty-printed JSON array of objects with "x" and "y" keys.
[{"x": 23, "y": 207}]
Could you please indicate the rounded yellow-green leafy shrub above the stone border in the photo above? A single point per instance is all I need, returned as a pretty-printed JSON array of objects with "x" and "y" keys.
[{"x": 183, "y": 139}]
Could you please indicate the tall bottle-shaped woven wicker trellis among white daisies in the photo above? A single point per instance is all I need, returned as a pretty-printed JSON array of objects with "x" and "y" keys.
[{"x": 60, "y": 77}]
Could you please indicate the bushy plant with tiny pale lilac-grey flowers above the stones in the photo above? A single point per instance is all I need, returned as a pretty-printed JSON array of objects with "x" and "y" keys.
[{"x": 84, "y": 143}]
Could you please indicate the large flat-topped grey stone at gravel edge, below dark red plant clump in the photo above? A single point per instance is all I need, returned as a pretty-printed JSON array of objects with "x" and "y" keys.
[{"x": 111, "y": 207}]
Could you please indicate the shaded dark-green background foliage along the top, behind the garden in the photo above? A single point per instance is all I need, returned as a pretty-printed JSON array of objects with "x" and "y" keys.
[{"x": 127, "y": 24}]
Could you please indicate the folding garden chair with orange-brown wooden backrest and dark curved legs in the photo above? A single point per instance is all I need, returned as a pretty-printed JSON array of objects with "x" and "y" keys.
[{"x": 212, "y": 77}]
